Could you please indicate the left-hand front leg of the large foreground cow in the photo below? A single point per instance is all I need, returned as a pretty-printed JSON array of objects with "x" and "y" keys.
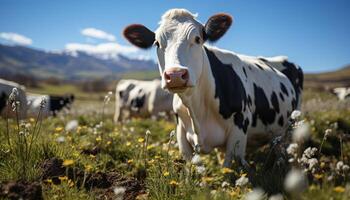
[{"x": 184, "y": 146}]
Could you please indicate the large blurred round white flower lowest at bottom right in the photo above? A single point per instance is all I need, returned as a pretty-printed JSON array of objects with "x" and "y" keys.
[{"x": 295, "y": 181}]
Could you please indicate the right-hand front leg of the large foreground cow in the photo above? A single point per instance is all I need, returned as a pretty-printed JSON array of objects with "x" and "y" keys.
[{"x": 236, "y": 147}]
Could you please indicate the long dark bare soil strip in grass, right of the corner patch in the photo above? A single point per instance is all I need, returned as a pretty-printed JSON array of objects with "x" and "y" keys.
[{"x": 103, "y": 184}]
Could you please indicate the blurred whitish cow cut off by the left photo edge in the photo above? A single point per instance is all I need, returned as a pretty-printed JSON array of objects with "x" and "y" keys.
[{"x": 6, "y": 88}]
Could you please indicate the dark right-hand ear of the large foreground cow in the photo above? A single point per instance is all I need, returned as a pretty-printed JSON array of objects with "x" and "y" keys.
[{"x": 216, "y": 26}]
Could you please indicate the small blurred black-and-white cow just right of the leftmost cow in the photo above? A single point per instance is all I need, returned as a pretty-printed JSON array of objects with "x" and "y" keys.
[{"x": 54, "y": 104}]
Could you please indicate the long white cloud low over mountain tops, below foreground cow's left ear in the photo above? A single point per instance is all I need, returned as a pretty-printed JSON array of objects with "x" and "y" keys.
[{"x": 103, "y": 50}]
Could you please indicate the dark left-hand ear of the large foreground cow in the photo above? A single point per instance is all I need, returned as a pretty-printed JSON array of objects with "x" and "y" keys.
[{"x": 139, "y": 35}]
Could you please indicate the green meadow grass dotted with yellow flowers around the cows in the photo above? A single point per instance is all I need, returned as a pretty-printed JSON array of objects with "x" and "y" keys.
[{"x": 154, "y": 162}]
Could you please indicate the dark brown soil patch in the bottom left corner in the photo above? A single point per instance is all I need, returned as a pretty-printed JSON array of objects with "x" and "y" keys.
[{"x": 21, "y": 190}]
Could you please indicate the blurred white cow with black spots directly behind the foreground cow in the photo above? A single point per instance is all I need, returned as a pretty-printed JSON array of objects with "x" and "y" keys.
[{"x": 141, "y": 99}]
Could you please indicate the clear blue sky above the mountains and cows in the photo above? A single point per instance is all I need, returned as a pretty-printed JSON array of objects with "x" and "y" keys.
[{"x": 313, "y": 33}]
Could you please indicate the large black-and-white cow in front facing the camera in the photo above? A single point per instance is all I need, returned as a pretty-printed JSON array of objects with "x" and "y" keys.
[{"x": 220, "y": 97}]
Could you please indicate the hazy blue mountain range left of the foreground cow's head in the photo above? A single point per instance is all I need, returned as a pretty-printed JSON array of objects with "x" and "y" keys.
[{"x": 66, "y": 65}]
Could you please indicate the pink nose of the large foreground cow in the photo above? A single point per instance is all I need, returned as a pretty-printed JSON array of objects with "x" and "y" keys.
[{"x": 175, "y": 77}]
